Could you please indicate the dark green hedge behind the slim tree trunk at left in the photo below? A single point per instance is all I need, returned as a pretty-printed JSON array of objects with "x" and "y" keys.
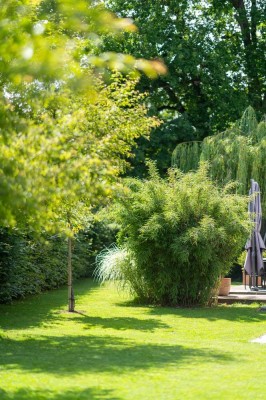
[{"x": 29, "y": 265}]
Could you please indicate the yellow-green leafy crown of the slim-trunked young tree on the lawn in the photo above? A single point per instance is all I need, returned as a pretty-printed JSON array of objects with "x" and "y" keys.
[{"x": 70, "y": 153}]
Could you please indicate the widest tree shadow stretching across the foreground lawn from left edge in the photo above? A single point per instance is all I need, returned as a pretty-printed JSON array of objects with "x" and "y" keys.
[{"x": 80, "y": 354}]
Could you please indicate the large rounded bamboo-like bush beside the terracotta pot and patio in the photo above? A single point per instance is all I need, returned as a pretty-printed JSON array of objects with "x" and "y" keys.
[{"x": 182, "y": 234}]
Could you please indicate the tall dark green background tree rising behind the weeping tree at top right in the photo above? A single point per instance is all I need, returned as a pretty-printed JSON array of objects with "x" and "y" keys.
[{"x": 215, "y": 54}]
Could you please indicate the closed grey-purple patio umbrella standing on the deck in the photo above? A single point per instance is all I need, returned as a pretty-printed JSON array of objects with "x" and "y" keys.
[{"x": 255, "y": 244}]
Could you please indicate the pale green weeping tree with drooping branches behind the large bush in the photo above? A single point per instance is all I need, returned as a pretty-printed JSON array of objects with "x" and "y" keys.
[{"x": 238, "y": 154}]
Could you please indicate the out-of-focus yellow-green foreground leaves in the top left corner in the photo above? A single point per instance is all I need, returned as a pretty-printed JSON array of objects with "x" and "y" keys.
[{"x": 47, "y": 39}]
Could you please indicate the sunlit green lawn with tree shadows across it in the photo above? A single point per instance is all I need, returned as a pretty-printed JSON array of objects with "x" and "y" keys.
[{"x": 115, "y": 350}]
